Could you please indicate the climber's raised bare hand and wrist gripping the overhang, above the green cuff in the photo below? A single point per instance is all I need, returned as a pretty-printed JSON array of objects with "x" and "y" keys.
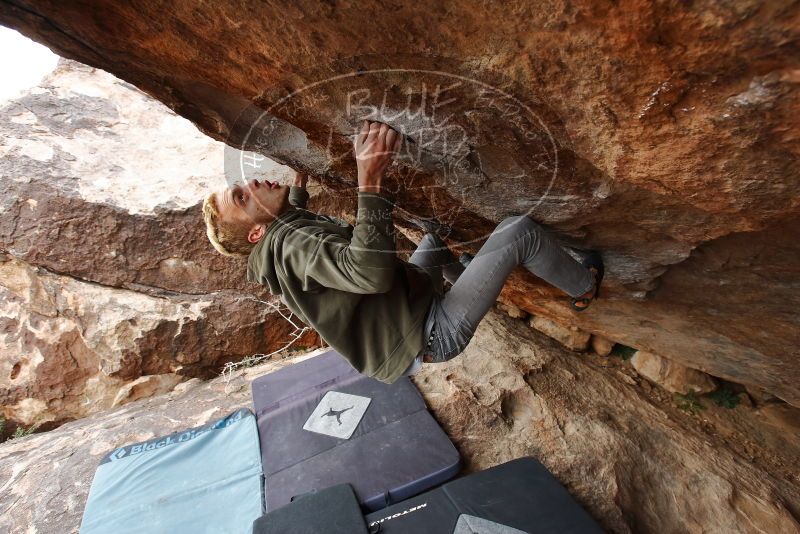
[{"x": 375, "y": 147}]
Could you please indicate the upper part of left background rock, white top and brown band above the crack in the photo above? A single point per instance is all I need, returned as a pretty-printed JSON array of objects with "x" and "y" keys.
[{"x": 103, "y": 183}]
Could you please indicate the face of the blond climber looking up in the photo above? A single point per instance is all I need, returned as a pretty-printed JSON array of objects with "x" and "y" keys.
[{"x": 253, "y": 205}]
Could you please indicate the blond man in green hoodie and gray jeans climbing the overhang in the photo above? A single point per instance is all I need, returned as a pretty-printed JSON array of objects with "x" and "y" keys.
[{"x": 385, "y": 315}]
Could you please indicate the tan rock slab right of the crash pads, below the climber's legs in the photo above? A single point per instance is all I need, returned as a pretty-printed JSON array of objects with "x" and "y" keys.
[{"x": 514, "y": 392}]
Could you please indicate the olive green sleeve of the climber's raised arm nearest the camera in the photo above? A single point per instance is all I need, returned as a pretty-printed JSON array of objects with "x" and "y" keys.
[{"x": 364, "y": 264}]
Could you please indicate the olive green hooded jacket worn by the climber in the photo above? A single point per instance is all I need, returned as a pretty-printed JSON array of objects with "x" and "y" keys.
[{"x": 347, "y": 282}]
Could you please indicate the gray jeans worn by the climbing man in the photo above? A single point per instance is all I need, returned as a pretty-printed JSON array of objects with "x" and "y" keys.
[{"x": 453, "y": 317}]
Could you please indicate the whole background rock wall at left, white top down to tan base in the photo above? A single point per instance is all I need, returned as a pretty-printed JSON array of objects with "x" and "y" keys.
[{"x": 101, "y": 184}]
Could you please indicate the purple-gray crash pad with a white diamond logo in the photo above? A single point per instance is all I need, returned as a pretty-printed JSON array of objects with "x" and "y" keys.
[{"x": 321, "y": 423}]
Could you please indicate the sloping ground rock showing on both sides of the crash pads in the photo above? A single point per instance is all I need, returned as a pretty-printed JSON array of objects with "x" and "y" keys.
[{"x": 637, "y": 465}]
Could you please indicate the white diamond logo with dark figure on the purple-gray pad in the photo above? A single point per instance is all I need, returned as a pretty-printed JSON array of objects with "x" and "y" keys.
[{"x": 337, "y": 414}]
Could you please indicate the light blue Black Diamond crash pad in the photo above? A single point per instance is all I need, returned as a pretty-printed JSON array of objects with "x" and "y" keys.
[{"x": 202, "y": 480}]
